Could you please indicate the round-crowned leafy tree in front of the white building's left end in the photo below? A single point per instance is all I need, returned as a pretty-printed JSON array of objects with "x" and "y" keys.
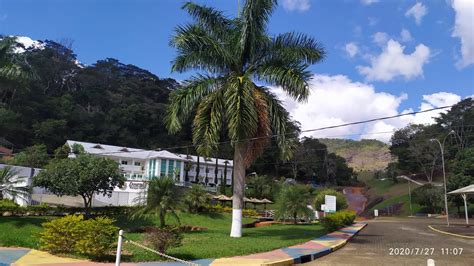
[{"x": 83, "y": 176}]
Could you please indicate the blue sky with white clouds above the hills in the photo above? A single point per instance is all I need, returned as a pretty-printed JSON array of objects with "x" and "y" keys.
[{"x": 384, "y": 57}]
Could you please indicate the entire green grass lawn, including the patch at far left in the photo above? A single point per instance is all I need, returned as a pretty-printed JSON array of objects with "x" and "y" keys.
[{"x": 211, "y": 243}]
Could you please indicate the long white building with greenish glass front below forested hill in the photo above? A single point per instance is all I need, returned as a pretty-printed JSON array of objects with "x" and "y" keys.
[{"x": 139, "y": 166}]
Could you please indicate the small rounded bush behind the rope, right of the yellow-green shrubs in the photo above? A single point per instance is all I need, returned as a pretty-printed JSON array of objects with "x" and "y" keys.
[{"x": 162, "y": 239}]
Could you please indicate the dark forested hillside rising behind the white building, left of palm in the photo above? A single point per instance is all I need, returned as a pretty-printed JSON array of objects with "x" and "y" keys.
[{"x": 108, "y": 102}]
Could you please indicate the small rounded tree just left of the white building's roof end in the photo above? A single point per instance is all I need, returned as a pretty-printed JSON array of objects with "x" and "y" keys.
[{"x": 35, "y": 156}]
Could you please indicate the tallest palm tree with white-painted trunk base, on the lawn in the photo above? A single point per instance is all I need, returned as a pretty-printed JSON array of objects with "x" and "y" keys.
[{"x": 240, "y": 60}]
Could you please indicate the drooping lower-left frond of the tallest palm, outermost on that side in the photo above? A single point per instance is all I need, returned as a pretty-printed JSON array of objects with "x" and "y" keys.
[{"x": 184, "y": 100}]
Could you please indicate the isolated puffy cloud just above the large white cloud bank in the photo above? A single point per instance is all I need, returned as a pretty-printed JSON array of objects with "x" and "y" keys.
[{"x": 393, "y": 62}]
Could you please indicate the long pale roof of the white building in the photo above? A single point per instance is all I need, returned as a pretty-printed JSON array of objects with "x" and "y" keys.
[{"x": 134, "y": 153}]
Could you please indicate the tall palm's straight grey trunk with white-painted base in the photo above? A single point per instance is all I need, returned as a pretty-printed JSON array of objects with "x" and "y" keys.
[{"x": 239, "y": 187}]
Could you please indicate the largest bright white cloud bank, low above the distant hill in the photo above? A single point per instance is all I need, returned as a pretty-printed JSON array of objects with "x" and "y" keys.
[{"x": 337, "y": 100}]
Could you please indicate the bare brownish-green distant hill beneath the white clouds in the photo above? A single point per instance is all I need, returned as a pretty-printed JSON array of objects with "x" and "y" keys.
[{"x": 366, "y": 154}]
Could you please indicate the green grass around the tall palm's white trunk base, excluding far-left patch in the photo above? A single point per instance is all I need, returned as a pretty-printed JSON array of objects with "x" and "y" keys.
[{"x": 215, "y": 241}]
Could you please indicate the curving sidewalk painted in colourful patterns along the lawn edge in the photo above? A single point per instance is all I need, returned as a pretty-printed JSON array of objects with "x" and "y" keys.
[{"x": 300, "y": 253}]
